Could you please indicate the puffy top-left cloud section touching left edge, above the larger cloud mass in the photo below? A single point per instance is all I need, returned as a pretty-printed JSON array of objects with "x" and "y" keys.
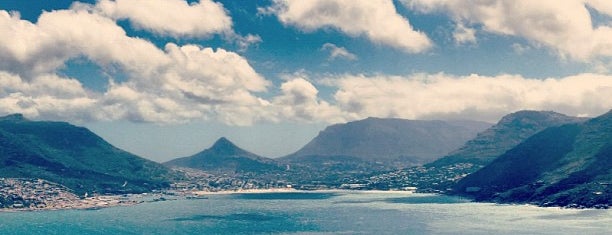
[{"x": 33, "y": 49}]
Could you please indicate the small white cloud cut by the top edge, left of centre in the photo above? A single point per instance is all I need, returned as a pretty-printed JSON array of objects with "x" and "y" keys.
[{"x": 175, "y": 18}]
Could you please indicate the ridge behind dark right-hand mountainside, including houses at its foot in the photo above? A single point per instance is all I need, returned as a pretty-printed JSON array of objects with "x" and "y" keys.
[{"x": 442, "y": 174}]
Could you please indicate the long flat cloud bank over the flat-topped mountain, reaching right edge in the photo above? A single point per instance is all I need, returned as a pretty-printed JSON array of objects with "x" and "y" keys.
[{"x": 474, "y": 96}]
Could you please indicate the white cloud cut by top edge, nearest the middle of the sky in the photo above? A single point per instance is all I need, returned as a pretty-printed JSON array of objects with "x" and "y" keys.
[{"x": 377, "y": 20}]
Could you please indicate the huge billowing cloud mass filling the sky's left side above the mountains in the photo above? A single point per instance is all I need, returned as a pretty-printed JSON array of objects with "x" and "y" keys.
[{"x": 176, "y": 84}]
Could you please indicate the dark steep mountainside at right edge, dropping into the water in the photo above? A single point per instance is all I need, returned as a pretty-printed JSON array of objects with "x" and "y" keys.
[{"x": 570, "y": 165}]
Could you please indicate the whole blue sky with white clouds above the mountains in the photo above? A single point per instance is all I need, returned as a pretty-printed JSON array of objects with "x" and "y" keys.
[{"x": 166, "y": 78}]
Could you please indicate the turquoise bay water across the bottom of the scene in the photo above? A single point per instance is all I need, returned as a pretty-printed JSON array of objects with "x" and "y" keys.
[{"x": 313, "y": 213}]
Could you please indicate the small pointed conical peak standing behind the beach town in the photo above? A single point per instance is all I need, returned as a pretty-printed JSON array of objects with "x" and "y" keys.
[{"x": 226, "y": 158}]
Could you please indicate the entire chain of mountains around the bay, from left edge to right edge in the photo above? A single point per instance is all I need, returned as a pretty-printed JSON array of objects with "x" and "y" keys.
[{"x": 538, "y": 157}]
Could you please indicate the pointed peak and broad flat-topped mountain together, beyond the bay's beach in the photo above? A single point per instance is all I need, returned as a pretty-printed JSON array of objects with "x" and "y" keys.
[{"x": 342, "y": 150}]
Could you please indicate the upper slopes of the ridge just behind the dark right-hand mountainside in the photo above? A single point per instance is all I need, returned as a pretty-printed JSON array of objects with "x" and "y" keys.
[{"x": 511, "y": 130}]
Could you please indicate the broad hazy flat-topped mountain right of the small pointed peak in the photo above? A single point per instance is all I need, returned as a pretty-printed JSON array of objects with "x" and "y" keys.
[{"x": 391, "y": 142}]
